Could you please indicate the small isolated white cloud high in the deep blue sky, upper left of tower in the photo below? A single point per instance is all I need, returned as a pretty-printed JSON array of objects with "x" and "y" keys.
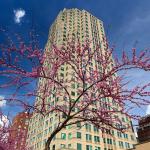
[{"x": 19, "y": 14}]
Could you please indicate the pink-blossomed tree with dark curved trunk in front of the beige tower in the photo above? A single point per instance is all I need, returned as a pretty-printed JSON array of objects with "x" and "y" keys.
[{"x": 98, "y": 92}]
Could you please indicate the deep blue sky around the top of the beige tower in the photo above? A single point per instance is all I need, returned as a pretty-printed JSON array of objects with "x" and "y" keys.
[{"x": 126, "y": 22}]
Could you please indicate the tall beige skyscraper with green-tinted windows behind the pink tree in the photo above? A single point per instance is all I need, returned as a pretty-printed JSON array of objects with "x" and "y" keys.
[{"x": 81, "y": 25}]
